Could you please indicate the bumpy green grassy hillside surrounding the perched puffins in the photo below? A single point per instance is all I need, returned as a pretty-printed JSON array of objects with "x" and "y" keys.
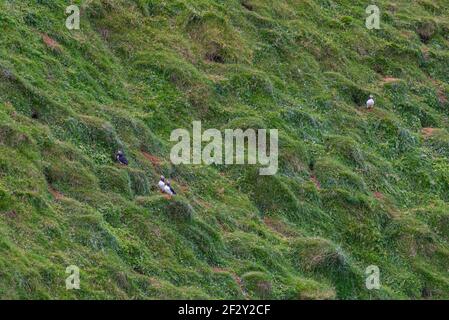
[{"x": 138, "y": 69}]
